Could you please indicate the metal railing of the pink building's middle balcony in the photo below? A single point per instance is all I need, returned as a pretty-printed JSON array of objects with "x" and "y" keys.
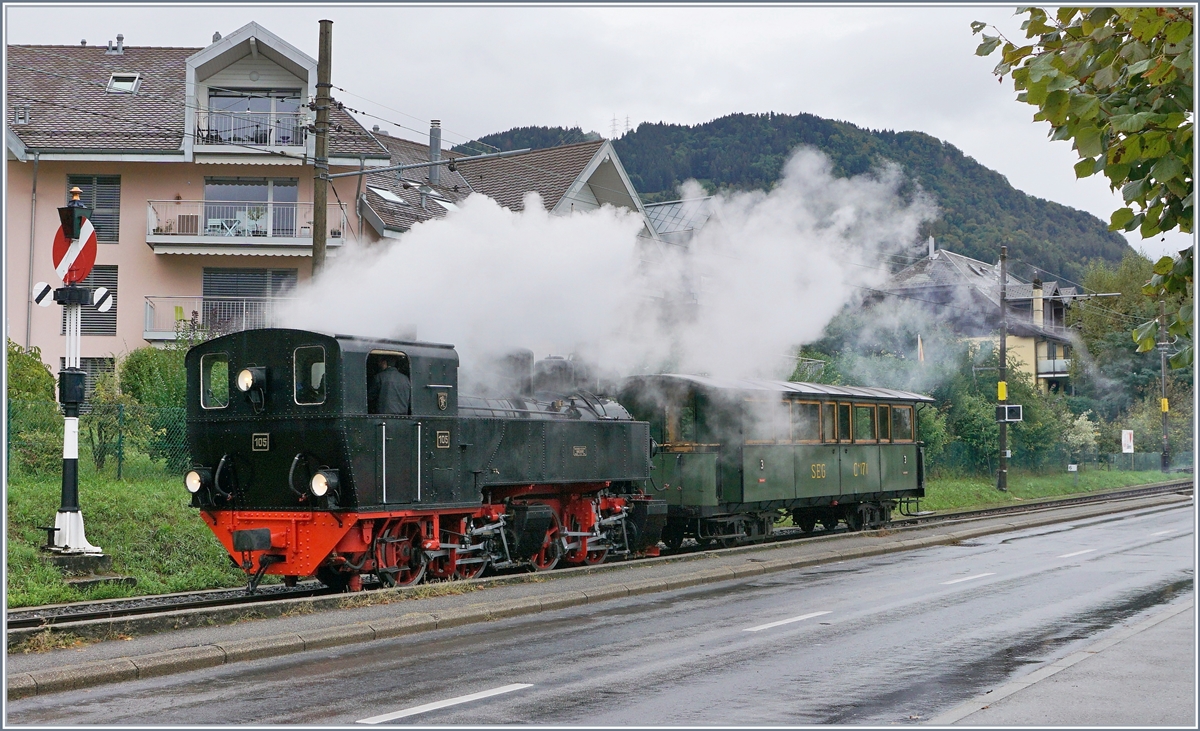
[{"x": 223, "y": 220}]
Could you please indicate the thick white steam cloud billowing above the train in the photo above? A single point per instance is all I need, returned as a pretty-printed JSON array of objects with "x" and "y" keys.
[{"x": 766, "y": 273}]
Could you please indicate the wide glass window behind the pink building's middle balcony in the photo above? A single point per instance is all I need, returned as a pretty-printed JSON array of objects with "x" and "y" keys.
[{"x": 250, "y": 207}]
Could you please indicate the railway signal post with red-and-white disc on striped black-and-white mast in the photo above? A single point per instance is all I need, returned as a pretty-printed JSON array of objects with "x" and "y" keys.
[{"x": 75, "y": 254}]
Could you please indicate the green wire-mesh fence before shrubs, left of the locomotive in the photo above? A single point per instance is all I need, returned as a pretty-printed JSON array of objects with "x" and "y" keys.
[{"x": 111, "y": 436}]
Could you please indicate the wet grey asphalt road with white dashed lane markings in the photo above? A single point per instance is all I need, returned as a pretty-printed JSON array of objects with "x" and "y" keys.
[{"x": 886, "y": 640}]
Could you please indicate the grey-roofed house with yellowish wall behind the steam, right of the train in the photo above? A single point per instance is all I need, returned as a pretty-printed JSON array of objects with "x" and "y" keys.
[{"x": 965, "y": 293}]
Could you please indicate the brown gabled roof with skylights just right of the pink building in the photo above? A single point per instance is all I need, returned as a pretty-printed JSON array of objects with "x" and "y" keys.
[{"x": 569, "y": 178}]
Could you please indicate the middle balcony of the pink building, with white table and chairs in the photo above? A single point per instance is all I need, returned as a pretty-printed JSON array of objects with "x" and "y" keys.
[{"x": 229, "y": 227}]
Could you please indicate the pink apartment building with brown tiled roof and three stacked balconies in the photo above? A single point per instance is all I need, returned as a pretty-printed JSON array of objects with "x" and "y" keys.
[{"x": 199, "y": 167}]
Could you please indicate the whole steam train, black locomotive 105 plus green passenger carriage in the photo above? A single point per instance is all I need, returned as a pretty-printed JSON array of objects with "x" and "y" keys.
[{"x": 297, "y": 477}]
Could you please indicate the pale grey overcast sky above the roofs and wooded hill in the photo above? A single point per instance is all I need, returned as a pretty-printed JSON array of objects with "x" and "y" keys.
[{"x": 484, "y": 70}]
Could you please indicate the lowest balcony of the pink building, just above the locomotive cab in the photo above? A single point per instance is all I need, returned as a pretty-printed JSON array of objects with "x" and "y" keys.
[{"x": 217, "y": 315}]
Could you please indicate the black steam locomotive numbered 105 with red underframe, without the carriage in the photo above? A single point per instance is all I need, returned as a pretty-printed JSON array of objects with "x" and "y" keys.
[{"x": 297, "y": 476}]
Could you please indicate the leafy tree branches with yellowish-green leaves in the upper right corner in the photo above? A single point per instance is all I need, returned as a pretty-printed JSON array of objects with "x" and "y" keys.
[{"x": 1119, "y": 82}]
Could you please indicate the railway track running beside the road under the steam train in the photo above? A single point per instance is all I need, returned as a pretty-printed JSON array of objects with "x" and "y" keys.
[{"x": 113, "y": 609}]
